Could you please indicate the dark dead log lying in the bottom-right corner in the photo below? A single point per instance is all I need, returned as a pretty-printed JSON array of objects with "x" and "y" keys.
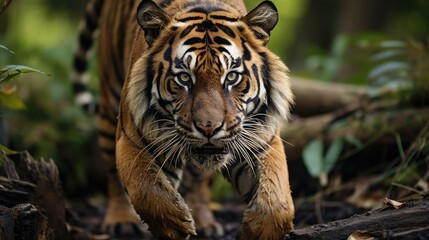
[{"x": 384, "y": 223}]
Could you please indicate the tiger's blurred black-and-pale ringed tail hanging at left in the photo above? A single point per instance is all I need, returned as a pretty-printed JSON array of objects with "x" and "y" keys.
[{"x": 80, "y": 78}]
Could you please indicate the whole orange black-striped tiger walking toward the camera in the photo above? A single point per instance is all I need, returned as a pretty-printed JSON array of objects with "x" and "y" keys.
[{"x": 188, "y": 88}]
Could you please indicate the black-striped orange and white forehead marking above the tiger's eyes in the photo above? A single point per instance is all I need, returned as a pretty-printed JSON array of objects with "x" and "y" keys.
[{"x": 209, "y": 36}]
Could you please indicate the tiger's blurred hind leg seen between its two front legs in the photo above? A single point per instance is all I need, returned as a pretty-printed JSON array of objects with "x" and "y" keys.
[{"x": 195, "y": 190}]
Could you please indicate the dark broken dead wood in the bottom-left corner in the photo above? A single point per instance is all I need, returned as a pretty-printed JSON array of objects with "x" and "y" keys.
[{"x": 32, "y": 190}]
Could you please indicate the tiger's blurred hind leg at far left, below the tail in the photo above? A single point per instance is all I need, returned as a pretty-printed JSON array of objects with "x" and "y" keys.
[{"x": 120, "y": 218}]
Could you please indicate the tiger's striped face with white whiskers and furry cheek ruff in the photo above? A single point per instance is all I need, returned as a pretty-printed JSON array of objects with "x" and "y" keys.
[{"x": 201, "y": 92}]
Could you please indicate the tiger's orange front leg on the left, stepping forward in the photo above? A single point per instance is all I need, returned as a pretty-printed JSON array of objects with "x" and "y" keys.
[{"x": 153, "y": 196}]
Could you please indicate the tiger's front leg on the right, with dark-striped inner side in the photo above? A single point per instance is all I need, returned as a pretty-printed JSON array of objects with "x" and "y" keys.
[{"x": 266, "y": 190}]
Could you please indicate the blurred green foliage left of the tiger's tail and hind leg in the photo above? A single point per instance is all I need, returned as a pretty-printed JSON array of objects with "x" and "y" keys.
[{"x": 52, "y": 125}]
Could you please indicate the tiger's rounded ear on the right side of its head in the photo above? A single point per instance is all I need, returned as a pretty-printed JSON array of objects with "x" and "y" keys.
[{"x": 262, "y": 20}]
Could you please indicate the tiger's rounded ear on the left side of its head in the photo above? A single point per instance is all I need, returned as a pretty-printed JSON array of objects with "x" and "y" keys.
[{"x": 152, "y": 19}]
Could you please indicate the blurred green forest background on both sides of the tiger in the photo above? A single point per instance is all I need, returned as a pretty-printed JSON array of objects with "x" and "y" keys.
[{"x": 380, "y": 48}]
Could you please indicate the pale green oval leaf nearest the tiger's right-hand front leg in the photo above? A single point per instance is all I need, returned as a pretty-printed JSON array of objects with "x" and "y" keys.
[{"x": 313, "y": 157}]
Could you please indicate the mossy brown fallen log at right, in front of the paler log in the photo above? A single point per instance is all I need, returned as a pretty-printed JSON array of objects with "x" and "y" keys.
[{"x": 362, "y": 126}]
